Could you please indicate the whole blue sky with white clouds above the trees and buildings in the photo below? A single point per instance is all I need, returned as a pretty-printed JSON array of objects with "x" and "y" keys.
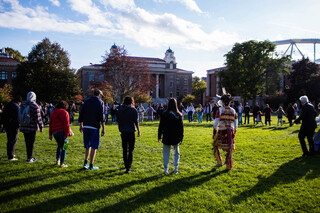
[{"x": 200, "y": 32}]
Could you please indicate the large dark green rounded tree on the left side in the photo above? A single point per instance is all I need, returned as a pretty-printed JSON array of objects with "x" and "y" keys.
[{"x": 47, "y": 72}]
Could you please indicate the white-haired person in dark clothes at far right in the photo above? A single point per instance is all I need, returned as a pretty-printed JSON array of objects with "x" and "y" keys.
[{"x": 307, "y": 116}]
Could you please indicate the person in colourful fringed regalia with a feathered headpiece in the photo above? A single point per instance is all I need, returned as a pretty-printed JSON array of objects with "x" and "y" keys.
[{"x": 226, "y": 120}]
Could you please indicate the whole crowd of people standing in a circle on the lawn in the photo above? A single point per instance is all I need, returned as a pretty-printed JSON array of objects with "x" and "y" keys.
[{"x": 29, "y": 117}]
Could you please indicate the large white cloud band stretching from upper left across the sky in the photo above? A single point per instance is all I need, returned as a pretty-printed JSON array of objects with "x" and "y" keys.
[{"x": 119, "y": 18}]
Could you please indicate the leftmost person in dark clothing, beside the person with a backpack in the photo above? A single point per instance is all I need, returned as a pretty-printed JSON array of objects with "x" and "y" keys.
[{"x": 10, "y": 117}]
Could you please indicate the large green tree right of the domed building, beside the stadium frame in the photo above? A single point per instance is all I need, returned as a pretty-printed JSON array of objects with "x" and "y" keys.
[{"x": 247, "y": 65}]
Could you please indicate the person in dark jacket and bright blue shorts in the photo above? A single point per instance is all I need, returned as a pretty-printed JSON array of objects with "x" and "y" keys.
[{"x": 91, "y": 118}]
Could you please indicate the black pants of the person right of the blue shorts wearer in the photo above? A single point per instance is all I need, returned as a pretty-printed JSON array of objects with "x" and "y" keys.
[{"x": 128, "y": 141}]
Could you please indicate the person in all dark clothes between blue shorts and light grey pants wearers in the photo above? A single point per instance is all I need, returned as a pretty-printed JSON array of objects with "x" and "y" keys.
[{"x": 128, "y": 124}]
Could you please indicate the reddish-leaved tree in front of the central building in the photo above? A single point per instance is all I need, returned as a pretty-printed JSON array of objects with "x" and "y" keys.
[{"x": 127, "y": 75}]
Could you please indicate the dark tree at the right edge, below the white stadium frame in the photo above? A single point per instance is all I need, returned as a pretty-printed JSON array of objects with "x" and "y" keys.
[{"x": 304, "y": 80}]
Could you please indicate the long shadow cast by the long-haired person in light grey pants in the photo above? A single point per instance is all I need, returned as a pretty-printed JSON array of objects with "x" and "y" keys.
[{"x": 81, "y": 197}]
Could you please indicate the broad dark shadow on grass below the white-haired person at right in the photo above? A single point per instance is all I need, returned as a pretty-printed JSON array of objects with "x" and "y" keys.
[{"x": 288, "y": 172}]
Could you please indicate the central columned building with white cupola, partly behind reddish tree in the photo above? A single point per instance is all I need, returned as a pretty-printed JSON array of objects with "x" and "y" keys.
[{"x": 170, "y": 80}]
